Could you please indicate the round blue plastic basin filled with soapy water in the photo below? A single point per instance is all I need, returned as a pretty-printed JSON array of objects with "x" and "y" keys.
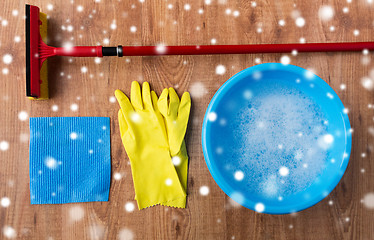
[{"x": 280, "y": 171}]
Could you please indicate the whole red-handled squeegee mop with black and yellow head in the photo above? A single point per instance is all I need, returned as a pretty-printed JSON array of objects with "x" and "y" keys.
[{"x": 37, "y": 51}]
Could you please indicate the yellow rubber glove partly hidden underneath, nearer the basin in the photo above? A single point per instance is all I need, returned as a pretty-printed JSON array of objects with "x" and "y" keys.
[{"x": 176, "y": 114}]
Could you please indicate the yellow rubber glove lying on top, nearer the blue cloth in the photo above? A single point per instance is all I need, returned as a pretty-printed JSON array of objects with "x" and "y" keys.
[{"x": 144, "y": 137}]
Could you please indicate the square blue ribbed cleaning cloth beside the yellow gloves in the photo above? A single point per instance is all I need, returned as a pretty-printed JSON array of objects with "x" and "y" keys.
[{"x": 69, "y": 159}]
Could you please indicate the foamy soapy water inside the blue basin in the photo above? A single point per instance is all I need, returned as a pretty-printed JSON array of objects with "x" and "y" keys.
[{"x": 282, "y": 142}]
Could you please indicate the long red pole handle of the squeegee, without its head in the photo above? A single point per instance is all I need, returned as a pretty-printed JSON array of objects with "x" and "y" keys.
[{"x": 99, "y": 51}]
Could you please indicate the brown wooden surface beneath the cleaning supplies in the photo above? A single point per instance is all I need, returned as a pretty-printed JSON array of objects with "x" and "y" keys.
[{"x": 344, "y": 214}]
